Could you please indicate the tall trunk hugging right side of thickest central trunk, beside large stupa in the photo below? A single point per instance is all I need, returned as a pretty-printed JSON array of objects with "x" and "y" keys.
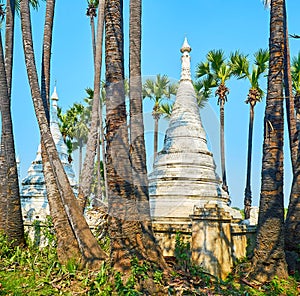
[{"x": 138, "y": 151}]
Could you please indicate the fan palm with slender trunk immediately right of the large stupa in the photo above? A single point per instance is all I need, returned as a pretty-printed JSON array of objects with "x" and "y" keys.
[{"x": 216, "y": 72}]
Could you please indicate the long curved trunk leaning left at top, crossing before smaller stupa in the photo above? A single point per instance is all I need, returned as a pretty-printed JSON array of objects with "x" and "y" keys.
[{"x": 88, "y": 248}]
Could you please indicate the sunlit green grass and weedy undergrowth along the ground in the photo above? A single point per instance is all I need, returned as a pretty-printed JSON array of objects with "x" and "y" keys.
[{"x": 33, "y": 270}]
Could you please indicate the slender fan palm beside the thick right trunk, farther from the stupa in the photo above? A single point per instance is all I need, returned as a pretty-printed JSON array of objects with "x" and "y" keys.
[{"x": 241, "y": 69}]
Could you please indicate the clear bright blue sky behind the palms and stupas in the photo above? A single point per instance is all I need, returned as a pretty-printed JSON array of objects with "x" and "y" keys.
[{"x": 229, "y": 25}]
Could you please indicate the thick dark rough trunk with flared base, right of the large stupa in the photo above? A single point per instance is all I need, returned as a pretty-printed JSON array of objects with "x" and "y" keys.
[{"x": 269, "y": 257}]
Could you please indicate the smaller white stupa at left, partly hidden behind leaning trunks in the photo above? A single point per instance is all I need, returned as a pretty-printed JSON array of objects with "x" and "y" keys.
[{"x": 33, "y": 190}]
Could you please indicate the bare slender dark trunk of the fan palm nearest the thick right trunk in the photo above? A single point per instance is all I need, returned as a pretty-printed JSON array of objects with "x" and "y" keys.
[{"x": 248, "y": 194}]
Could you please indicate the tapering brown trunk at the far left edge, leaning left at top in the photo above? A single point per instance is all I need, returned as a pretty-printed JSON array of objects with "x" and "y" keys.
[{"x": 10, "y": 206}]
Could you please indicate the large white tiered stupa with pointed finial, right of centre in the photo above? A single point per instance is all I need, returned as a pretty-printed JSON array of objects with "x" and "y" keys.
[{"x": 184, "y": 173}]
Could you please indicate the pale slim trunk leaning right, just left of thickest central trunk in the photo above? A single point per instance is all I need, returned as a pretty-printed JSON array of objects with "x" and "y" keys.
[{"x": 93, "y": 136}]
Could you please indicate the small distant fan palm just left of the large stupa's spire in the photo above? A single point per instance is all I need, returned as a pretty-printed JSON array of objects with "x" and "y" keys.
[{"x": 158, "y": 90}]
